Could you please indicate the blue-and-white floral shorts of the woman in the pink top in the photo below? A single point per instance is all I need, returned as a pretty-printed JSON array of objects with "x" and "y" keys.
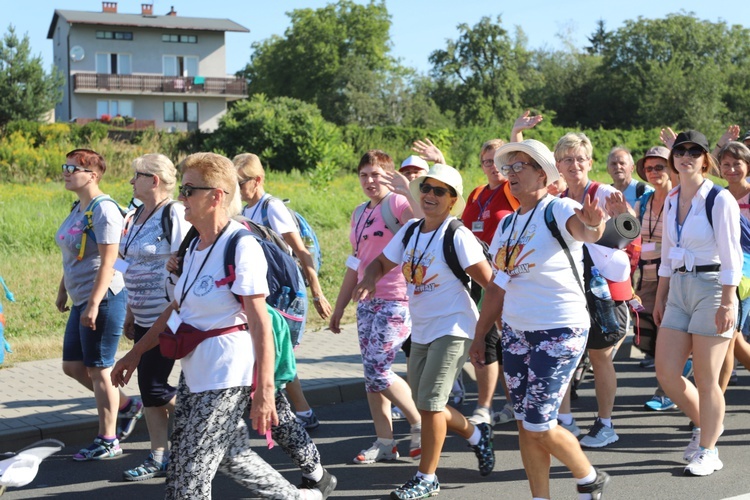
[{"x": 383, "y": 326}]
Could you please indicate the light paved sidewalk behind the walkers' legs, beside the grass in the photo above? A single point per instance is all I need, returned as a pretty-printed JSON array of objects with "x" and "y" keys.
[{"x": 38, "y": 401}]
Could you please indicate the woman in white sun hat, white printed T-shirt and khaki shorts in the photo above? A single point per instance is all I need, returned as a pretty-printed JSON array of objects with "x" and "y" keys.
[{"x": 443, "y": 319}]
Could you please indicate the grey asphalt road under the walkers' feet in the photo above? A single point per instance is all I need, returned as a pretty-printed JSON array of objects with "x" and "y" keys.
[{"x": 644, "y": 463}]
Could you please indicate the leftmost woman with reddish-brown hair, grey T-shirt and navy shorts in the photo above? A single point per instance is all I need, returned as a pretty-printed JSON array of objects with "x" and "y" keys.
[{"x": 89, "y": 238}]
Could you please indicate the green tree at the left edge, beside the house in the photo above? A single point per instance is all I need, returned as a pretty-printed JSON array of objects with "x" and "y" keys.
[{"x": 27, "y": 92}]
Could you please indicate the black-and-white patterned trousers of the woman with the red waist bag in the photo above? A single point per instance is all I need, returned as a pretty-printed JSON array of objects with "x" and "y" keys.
[{"x": 209, "y": 435}]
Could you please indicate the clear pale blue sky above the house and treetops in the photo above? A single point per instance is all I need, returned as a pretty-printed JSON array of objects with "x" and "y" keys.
[{"x": 418, "y": 26}]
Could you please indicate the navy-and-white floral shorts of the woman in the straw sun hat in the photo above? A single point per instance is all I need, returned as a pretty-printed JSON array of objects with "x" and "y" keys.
[{"x": 538, "y": 366}]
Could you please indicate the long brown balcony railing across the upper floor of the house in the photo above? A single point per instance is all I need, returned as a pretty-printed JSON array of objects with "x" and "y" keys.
[{"x": 160, "y": 84}]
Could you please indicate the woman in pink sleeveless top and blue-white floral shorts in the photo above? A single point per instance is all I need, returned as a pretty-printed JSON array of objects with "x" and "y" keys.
[{"x": 383, "y": 320}]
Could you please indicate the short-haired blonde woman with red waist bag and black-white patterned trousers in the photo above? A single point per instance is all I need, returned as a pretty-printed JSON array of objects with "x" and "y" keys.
[{"x": 220, "y": 373}]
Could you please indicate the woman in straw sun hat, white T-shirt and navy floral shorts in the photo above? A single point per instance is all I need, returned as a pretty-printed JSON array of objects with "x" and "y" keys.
[{"x": 538, "y": 294}]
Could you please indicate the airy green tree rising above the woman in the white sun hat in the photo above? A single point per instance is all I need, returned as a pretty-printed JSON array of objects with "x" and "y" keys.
[{"x": 479, "y": 76}]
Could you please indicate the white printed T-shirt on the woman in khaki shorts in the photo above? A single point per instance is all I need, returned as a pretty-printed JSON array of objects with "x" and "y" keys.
[{"x": 439, "y": 303}]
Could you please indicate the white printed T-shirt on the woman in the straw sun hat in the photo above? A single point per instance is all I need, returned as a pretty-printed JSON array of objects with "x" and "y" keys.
[{"x": 542, "y": 292}]
